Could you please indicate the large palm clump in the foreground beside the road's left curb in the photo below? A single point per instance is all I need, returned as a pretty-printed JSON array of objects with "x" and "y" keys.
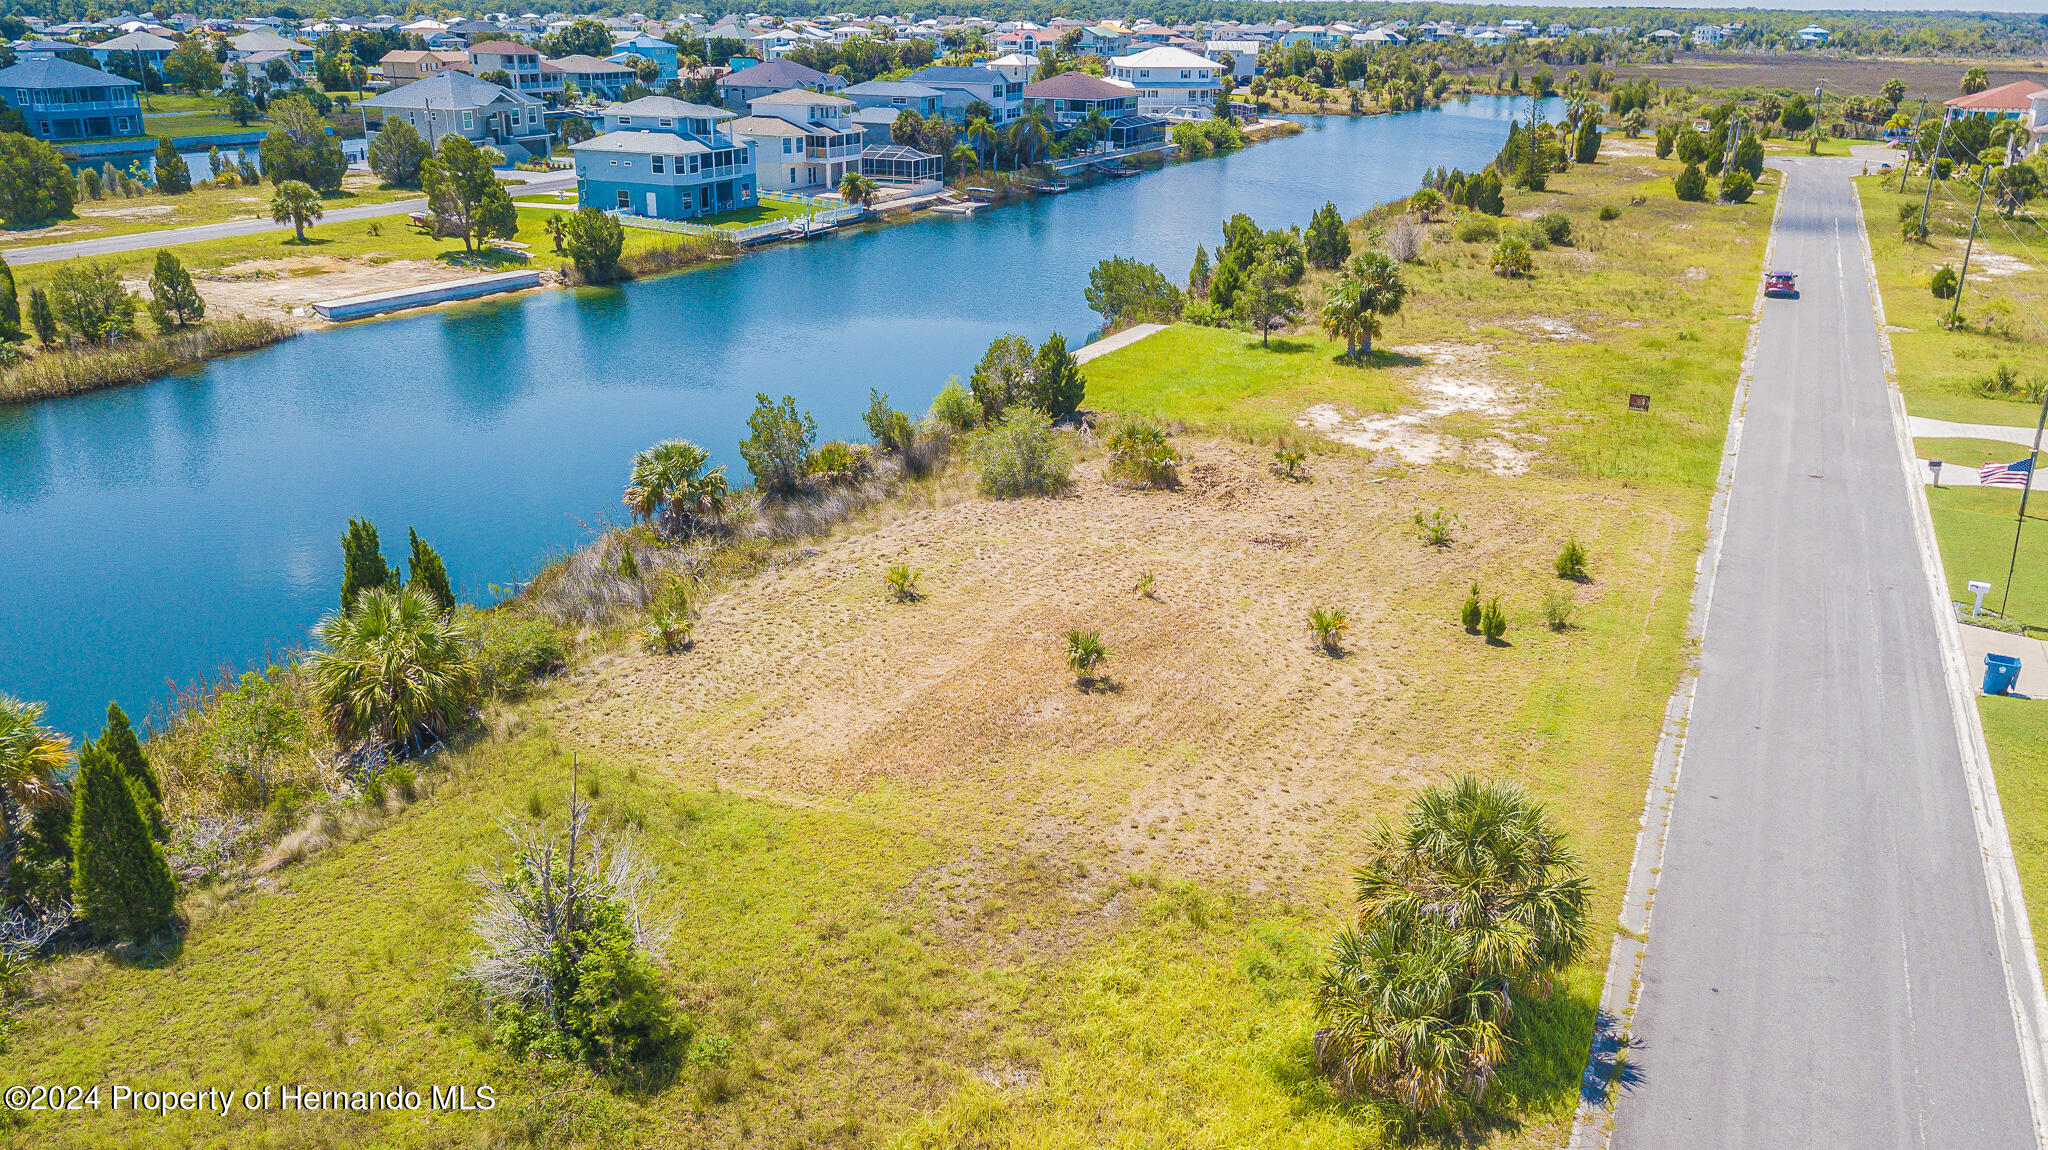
[{"x": 1465, "y": 905}]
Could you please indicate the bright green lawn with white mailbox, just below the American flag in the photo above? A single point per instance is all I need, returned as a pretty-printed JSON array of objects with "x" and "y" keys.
[{"x": 1975, "y": 531}]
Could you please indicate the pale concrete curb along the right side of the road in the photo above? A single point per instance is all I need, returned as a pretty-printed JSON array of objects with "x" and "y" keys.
[{"x": 2002, "y": 875}]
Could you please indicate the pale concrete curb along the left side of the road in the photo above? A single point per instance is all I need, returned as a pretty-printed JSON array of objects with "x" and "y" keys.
[{"x": 1594, "y": 1124}]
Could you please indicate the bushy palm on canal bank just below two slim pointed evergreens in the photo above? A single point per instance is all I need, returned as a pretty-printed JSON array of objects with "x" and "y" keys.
[{"x": 394, "y": 670}]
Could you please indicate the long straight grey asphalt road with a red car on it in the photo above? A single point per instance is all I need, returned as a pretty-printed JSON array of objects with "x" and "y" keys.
[{"x": 1822, "y": 965}]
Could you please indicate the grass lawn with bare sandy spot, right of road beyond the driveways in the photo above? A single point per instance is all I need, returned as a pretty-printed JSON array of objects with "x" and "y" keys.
[{"x": 2006, "y": 302}]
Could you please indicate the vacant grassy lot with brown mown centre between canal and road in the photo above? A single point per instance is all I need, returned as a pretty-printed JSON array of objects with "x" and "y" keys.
[{"x": 931, "y": 893}]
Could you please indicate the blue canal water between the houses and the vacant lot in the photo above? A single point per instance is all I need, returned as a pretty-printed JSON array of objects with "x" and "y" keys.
[{"x": 155, "y": 535}]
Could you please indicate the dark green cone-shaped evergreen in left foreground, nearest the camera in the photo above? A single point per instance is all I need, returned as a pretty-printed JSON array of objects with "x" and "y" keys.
[{"x": 120, "y": 877}]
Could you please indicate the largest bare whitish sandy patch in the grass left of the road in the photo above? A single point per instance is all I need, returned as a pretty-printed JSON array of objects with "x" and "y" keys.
[{"x": 1459, "y": 382}]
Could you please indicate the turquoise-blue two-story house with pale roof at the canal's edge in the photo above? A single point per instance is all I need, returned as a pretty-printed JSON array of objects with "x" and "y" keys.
[{"x": 665, "y": 159}]
